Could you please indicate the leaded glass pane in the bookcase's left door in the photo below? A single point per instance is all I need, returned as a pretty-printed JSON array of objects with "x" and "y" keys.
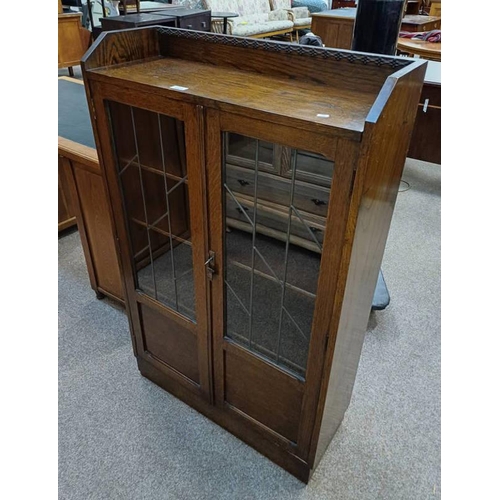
[{"x": 151, "y": 162}]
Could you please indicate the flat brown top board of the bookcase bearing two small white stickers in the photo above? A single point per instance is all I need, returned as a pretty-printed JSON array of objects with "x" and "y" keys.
[{"x": 300, "y": 100}]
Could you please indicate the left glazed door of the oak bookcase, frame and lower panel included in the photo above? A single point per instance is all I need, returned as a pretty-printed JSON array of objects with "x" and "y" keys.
[{"x": 153, "y": 157}]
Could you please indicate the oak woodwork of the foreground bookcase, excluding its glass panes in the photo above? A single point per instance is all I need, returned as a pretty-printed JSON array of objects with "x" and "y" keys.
[{"x": 271, "y": 92}]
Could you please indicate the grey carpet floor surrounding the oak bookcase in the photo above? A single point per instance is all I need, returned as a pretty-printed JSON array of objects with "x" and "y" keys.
[{"x": 122, "y": 437}]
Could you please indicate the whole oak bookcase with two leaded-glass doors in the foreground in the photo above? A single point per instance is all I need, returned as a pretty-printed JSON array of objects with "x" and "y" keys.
[{"x": 252, "y": 185}]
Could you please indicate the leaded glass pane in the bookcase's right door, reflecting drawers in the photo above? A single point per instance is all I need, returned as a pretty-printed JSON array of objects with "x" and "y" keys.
[{"x": 273, "y": 250}]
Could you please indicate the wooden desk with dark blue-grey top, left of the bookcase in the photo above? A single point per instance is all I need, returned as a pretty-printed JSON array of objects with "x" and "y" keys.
[{"x": 82, "y": 192}]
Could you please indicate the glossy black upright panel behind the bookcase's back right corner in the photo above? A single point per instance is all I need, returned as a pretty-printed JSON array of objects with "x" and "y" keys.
[{"x": 377, "y": 26}]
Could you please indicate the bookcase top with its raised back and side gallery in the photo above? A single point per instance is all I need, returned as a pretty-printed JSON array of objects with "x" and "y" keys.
[{"x": 332, "y": 91}]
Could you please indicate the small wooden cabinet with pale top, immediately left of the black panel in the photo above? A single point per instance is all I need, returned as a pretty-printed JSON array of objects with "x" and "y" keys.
[{"x": 335, "y": 27}]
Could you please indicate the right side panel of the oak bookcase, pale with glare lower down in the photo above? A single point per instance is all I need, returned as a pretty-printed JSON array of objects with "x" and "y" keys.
[{"x": 374, "y": 195}]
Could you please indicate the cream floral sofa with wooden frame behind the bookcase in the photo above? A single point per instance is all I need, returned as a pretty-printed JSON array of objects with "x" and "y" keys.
[{"x": 255, "y": 19}]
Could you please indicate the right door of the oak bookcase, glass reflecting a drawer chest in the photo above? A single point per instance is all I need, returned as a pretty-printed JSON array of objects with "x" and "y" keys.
[{"x": 272, "y": 299}]
